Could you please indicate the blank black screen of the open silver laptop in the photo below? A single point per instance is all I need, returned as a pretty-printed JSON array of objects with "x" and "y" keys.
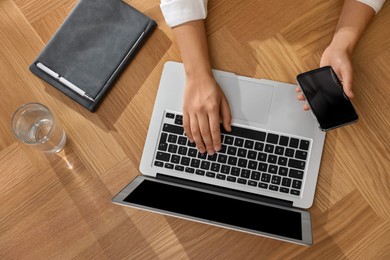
[{"x": 221, "y": 209}]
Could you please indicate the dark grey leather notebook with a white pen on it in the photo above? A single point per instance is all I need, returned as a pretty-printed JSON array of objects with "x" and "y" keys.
[{"x": 91, "y": 48}]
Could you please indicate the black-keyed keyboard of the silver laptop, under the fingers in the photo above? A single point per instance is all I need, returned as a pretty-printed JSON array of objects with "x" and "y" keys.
[{"x": 261, "y": 159}]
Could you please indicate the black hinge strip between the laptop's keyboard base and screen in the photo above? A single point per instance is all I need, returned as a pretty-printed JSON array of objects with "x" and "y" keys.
[{"x": 224, "y": 190}]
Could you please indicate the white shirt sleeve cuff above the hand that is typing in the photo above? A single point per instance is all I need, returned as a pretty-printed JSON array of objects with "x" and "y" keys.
[{"x": 177, "y": 12}]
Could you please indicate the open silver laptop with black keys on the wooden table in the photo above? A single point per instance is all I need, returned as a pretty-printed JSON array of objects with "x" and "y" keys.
[{"x": 260, "y": 182}]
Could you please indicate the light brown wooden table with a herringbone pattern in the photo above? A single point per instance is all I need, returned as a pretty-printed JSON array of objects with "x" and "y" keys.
[{"x": 60, "y": 206}]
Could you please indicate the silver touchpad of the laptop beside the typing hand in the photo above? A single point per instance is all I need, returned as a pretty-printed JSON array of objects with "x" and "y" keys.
[{"x": 248, "y": 100}]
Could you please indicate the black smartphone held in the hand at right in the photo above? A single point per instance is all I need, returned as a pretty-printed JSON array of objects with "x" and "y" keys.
[{"x": 328, "y": 102}]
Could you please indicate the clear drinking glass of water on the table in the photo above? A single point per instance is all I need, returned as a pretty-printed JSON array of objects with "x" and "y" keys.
[{"x": 35, "y": 125}]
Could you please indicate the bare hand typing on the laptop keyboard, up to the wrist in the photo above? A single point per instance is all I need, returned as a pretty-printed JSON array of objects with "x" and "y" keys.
[{"x": 204, "y": 104}]
